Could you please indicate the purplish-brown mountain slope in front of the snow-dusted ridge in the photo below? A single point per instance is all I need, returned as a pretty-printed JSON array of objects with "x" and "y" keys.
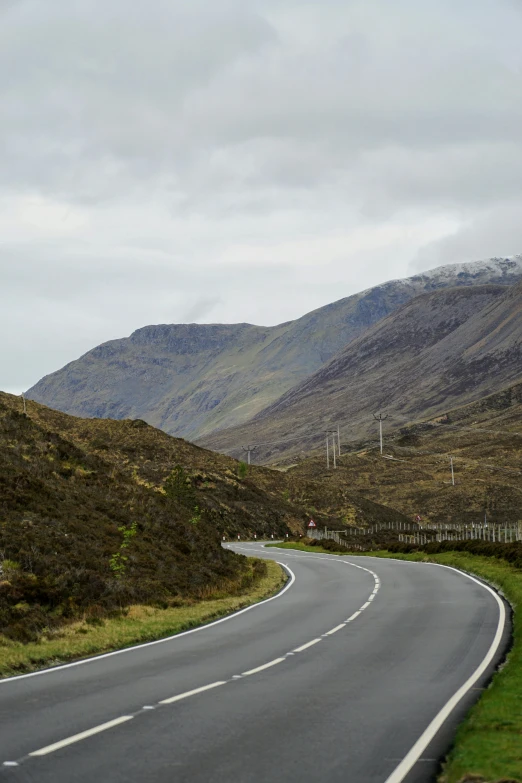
[{"x": 440, "y": 350}]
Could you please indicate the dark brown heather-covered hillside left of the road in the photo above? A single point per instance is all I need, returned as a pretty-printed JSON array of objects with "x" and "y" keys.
[{"x": 73, "y": 491}]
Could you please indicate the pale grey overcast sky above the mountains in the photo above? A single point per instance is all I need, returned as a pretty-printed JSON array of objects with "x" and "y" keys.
[{"x": 243, "y": 160}]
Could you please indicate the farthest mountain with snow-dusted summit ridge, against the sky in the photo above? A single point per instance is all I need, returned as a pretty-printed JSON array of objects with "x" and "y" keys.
[{"x": 192, "y": 380}]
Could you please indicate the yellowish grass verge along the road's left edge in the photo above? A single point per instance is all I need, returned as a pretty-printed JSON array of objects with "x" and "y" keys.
[{"x": 140, "y": 624}]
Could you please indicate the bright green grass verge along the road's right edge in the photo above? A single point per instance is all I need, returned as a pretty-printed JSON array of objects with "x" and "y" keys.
[{"x": 488, "y": 743}]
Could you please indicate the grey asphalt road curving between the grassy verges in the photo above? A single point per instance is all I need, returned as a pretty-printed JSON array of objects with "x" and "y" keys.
[{"x": 335, "y": 679}]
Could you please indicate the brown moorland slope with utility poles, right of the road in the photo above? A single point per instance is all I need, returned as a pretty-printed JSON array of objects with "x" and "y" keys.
[{"x": 485, "y": 441}]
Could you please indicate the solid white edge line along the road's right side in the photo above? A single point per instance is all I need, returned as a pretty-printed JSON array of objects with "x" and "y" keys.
[{"x": 431, "y": 731}]
